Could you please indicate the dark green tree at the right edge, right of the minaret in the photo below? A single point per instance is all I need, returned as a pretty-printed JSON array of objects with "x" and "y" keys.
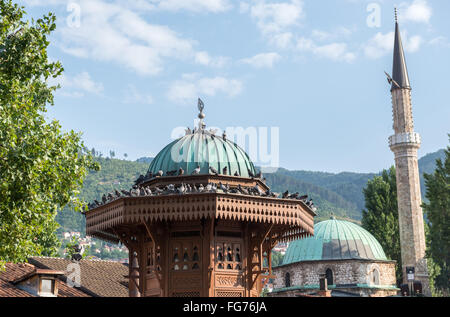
[{"x": 437, "y": 211}]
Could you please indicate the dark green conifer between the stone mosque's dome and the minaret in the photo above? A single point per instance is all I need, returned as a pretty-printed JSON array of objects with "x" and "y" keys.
[{"x": 380, "y": 217}]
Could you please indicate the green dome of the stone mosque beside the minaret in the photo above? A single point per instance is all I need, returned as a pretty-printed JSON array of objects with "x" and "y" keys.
[{"x": 335, "y": 240}]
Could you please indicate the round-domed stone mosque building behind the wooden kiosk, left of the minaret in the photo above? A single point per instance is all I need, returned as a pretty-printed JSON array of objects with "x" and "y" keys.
[{"x": 348, "y": 256}]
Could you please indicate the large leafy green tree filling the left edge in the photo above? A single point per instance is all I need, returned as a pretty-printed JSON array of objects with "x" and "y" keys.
[{"x": 41, "y": 167}]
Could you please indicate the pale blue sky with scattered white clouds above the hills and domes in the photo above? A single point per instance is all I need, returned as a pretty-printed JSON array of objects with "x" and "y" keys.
[{"x": 312, "y": 71}]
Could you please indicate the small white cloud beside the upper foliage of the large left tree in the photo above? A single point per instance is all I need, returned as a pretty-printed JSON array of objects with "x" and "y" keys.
[{"x": 78, "y": 85}]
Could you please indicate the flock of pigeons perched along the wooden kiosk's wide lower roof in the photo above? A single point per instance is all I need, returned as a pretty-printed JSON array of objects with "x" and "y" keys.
[{"x": 182, "y": 189}]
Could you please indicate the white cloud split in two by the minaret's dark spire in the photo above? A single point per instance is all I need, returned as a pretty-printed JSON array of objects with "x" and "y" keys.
[{"x": 383, "y": 44}]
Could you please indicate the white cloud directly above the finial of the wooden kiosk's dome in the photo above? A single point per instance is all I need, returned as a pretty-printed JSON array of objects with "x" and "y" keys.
[{"x": 192, "y": 86}]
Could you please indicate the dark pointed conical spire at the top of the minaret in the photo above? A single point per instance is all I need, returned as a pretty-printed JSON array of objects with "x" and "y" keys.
[{"x": 399, "y": 71}]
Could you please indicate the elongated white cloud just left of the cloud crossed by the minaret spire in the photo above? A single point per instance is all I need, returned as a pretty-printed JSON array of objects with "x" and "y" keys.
[{"x": 334, "y": 51}]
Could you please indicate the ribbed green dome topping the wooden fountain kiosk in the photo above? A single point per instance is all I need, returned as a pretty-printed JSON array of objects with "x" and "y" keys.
[{"x": 202, "y": 149}]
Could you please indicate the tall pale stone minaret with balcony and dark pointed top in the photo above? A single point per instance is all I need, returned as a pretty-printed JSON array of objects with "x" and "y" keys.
[{"x": 405, "y": 143}]
